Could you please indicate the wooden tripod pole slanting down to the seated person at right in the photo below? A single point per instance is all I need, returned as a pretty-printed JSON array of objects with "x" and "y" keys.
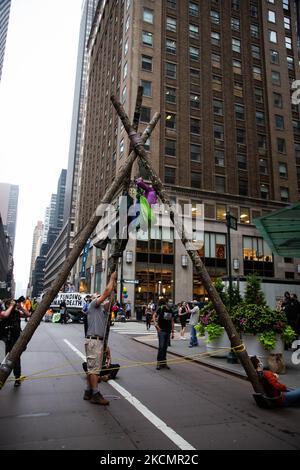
[{"x": 196, "y": 260}]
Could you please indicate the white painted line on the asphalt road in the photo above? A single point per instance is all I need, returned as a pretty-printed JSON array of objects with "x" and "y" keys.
[{"x": 155, "y": 420}]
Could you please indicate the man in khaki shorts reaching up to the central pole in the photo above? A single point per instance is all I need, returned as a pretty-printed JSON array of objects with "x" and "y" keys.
[{"x": 97, "y": 315}]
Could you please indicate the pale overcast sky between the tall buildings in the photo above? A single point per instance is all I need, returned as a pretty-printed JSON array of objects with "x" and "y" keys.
[{"x": 36, "y": 97}]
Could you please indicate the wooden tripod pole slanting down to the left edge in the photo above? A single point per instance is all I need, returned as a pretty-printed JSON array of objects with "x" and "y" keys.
[{"x": 20, "y": 345}]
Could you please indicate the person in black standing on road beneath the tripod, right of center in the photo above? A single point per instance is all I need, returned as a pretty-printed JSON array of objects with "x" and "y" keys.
[{"x": 164, "y": 324}]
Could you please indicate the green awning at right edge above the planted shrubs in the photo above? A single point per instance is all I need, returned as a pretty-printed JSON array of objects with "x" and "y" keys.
[{"x": 281, "y": 230}]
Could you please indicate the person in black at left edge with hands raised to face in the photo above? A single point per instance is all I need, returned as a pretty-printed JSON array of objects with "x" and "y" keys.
[{"x": 10, "y": 318}]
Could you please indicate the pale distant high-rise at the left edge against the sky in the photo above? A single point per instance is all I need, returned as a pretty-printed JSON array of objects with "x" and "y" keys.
[{"x": 9, "y": 195}]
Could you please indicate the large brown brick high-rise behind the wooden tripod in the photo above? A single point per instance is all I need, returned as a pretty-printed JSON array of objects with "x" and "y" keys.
[{"x": 220, "y": 74}]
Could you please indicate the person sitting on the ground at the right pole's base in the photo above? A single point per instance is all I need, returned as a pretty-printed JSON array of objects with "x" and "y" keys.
[{"x": 274, "y": 390}]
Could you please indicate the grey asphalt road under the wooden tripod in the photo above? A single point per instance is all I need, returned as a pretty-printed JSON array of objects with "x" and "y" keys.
[{"x": 187, "y": 407}]
